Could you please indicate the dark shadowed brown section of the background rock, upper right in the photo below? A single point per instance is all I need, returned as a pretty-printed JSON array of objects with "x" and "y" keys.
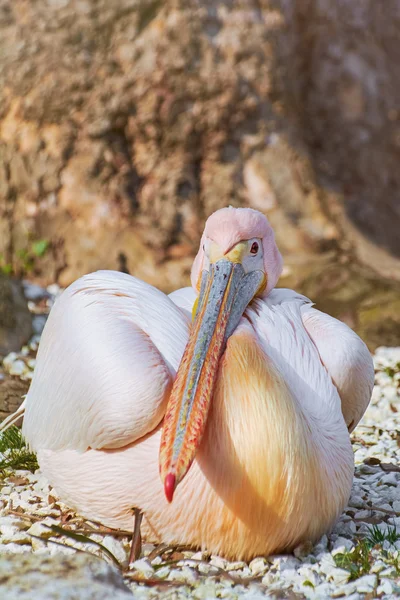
[{"x": 343, "y": 78}]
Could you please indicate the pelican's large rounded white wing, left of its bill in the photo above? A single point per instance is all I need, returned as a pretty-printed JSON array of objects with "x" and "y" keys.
[{"x": 105, "y": 366}]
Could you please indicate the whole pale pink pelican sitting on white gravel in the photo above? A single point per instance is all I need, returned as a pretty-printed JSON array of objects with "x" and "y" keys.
[{"x": 221, "y": 411}]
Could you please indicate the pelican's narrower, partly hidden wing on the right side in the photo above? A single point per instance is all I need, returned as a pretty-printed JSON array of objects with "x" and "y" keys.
[{"x": 346, "y": 358}]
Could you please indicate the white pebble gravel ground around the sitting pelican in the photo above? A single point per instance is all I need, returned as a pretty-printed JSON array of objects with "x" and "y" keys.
[{"x": 342, "y": 564}]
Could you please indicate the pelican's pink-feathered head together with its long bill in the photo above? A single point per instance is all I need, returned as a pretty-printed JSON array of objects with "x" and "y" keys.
[{"x": 238, "y": 260}]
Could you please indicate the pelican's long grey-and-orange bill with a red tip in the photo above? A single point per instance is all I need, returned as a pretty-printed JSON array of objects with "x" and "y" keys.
[{"x": 225, "y": 292}]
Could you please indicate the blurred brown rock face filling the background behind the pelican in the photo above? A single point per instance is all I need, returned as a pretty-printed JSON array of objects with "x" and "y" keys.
[{"x": 124, "y": 124}]
